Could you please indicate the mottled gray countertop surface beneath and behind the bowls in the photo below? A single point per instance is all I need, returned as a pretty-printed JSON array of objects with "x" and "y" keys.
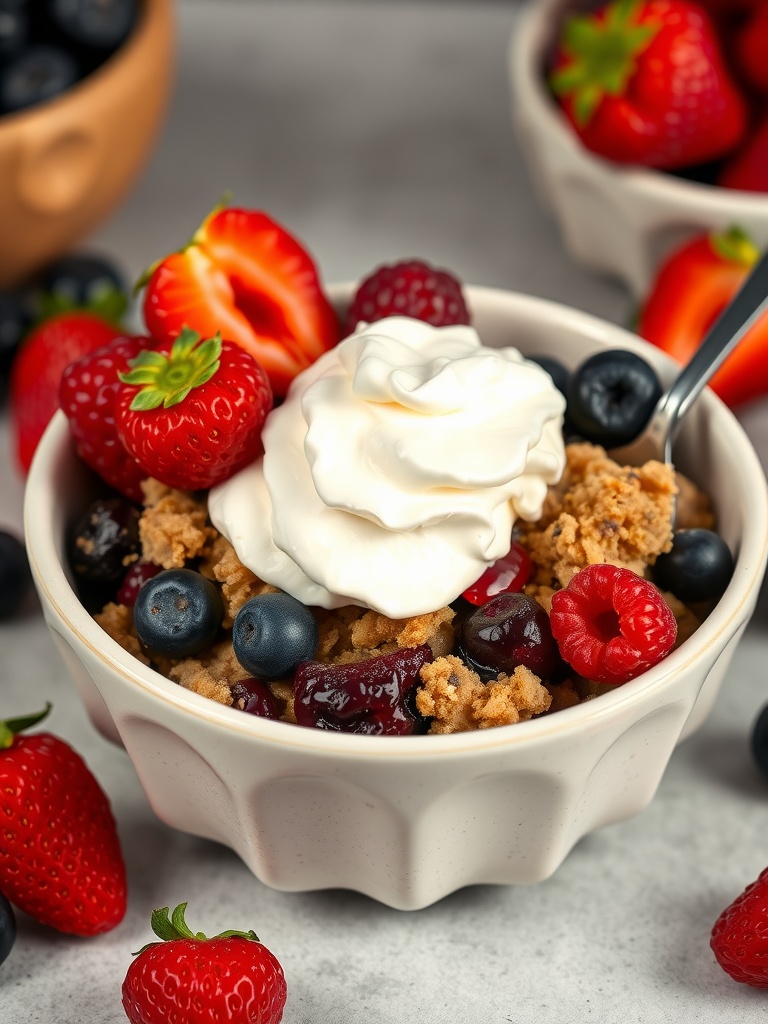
[{"x": 374, "y": 132}]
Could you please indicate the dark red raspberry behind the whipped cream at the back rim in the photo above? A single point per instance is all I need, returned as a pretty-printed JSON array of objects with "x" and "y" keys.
[{"x": 411, "y": 288}]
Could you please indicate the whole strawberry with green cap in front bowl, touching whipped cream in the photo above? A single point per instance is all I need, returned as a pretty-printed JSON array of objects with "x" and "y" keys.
[{"x": 192, "y": 414}]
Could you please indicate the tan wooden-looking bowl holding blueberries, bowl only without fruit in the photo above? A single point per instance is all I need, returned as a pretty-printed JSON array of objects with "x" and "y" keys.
[{"x": 67, "y": 163}]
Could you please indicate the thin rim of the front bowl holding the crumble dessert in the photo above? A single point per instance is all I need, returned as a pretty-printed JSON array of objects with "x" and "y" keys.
[{"x": 39, "y": 519}]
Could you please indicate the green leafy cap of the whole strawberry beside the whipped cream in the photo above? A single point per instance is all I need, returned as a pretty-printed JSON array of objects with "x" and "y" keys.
[{"x": 168, "y": 379}]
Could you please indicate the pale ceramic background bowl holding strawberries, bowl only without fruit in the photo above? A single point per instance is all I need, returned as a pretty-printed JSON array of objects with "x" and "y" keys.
[{"x": 618, "y": 220}]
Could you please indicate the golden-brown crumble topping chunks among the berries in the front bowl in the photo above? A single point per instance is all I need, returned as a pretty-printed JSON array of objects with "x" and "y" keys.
[{"x": 600, "y": 513}]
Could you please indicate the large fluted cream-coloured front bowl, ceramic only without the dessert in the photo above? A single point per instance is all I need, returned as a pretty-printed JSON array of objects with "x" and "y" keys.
[{"x": 409, "y": 820}]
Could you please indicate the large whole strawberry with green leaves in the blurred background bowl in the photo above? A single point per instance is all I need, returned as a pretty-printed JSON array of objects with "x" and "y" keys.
[{"x": 646, "y": 82}]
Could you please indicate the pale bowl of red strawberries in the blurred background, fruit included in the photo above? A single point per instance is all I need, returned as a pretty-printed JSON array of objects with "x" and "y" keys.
[{"x": 664, "y": 141}]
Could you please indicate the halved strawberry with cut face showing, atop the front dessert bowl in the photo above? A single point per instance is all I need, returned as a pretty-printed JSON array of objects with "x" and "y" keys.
[{"x": 245, "y": 277}]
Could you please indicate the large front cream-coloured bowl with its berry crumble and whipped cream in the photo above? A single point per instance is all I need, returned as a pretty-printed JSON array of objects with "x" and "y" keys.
[{"x": 420, "y": 643}]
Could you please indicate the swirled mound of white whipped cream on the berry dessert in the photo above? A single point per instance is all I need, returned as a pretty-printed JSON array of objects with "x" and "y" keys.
[{"x": 396, "y": 468}]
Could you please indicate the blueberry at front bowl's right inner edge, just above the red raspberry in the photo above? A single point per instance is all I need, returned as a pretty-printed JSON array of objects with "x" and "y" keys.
[{"x": 699, "y": 568}]
